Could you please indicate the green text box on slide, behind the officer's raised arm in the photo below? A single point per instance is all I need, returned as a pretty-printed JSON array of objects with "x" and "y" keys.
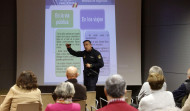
[{"x": 62, "y": 58}]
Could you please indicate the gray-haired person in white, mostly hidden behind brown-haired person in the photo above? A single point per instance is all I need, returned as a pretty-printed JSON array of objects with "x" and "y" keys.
[{"x": 145, "y": 89}]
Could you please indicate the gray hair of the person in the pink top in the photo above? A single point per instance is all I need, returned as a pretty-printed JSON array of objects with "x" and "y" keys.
[{"x": 65, "y": 90}]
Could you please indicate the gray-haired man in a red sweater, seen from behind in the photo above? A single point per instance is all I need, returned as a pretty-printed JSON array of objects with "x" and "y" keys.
[{"x": 115, "y": 89}]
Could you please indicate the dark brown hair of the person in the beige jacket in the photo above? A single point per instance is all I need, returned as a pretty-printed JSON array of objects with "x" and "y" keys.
[{"x": 27, "y": 80}]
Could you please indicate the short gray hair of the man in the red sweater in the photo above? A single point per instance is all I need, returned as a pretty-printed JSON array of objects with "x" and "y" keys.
[{"x": 115, "y": 86}]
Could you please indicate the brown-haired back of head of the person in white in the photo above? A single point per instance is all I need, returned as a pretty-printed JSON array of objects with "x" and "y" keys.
[{"x": 156, "y": 81}]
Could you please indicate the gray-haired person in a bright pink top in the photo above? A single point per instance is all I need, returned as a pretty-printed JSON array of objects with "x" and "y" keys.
[{"x": 64, "y": 93}]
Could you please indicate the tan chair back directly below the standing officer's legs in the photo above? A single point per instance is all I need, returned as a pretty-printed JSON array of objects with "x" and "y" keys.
[{"x": 91, "y": 99}]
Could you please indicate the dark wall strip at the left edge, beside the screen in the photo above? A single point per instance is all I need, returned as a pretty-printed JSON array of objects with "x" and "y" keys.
[{"x": 7, "y": 43}]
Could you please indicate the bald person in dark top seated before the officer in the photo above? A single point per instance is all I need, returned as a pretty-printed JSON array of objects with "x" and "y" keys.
[{"x": 80, "y": 90}]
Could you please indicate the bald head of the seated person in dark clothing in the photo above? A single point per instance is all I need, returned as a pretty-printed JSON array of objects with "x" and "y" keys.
[{"x": 72, "y": 72}]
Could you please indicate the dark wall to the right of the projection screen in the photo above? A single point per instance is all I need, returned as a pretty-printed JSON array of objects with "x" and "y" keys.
[{"x": 165, "y": 38}]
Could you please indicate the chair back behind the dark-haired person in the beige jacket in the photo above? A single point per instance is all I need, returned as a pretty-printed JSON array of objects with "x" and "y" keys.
[{"x": 28, "y": 107}]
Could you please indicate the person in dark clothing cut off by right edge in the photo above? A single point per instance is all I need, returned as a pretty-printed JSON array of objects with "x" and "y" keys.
[{"x": 183, "y": 91}]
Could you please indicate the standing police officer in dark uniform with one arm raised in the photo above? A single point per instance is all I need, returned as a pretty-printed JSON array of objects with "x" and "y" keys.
[{"x": 92, "y": 61}]
